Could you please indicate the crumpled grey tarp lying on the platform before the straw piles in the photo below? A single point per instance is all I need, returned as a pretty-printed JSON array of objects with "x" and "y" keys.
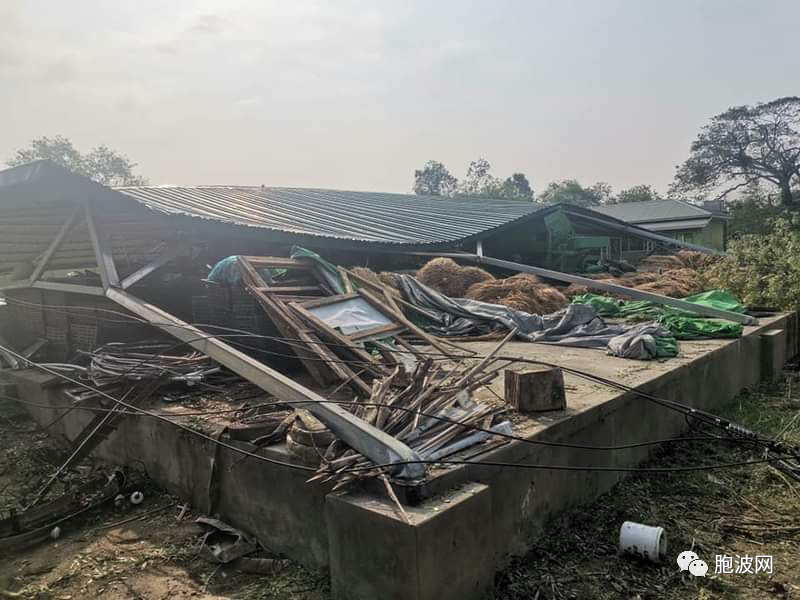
[{"x": 577, "y": 325}]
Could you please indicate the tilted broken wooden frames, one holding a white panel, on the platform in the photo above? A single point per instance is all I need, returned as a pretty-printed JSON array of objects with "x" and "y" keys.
[{"x": 343, "y": 328}]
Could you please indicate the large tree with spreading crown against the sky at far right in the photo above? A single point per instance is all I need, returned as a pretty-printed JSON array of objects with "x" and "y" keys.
[{"x": 743, "y": 145}]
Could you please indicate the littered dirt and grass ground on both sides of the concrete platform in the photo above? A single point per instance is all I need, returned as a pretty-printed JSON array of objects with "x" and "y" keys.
[{"x": 147, "y": 551}]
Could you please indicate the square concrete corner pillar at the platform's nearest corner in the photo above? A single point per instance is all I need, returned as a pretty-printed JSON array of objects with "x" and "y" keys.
[{"x": 445, "y": 553}]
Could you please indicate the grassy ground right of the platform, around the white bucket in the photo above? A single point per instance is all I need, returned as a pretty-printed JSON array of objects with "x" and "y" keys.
[{"x": 746, "y": 510}]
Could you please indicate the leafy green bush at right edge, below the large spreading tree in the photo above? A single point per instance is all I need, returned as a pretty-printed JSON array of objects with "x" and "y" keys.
[{"x": 763, "y": 270}]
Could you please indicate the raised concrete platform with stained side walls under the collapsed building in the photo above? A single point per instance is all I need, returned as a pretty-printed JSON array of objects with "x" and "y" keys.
[{"x": 466, "y": 521}]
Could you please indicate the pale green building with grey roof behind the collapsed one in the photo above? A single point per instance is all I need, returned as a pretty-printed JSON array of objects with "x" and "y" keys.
[{"x": 674, "y": 218}]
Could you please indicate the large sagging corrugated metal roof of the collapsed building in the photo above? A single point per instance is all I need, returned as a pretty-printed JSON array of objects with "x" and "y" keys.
[{"x": 358, "y": 216}]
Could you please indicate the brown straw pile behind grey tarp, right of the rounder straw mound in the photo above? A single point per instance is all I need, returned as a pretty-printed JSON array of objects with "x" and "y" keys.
[{"x": 521, "y": 292}]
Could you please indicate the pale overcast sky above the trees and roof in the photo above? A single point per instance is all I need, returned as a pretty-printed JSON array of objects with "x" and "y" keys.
[{"x": 356, "y": 95}]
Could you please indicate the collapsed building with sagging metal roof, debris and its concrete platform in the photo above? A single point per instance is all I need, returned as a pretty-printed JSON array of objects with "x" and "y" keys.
[{"x": 407, "y": 441}]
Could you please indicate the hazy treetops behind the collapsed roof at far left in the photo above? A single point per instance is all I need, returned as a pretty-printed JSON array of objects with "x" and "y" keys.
[{"x": 100, "y": 164}]
